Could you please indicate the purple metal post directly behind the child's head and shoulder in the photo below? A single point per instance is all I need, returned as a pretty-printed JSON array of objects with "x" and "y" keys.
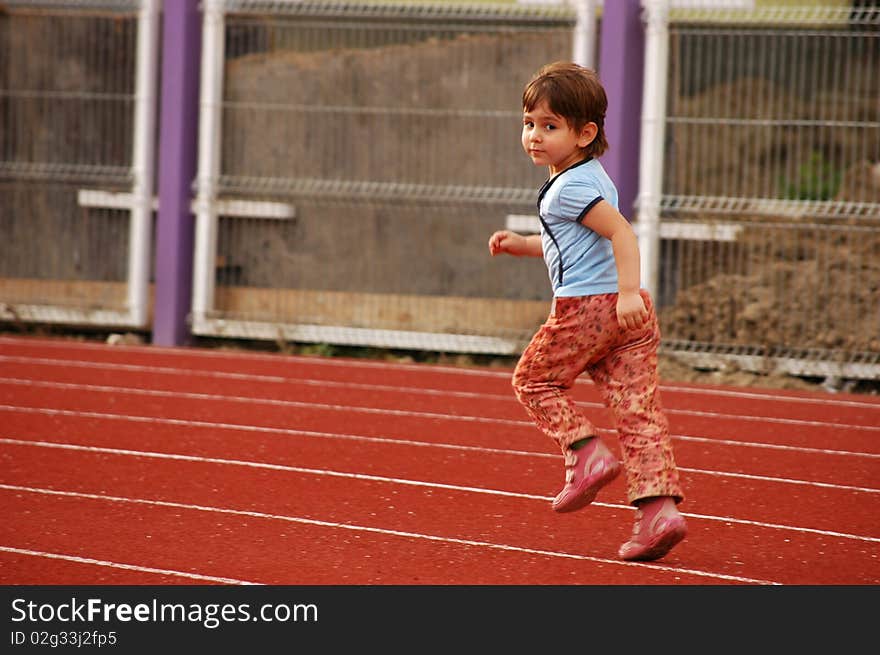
[{"x": 621, "y": 62}]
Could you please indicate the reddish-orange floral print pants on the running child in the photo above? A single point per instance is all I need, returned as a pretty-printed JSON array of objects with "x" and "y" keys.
[{"x": 582, "y": 335}]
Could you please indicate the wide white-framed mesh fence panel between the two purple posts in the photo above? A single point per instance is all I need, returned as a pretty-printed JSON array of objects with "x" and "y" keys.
[{"x": 364, "y": 152}]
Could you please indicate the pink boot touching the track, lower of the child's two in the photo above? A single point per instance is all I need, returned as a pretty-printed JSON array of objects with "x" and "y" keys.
[{"x": 659, "y": 527}]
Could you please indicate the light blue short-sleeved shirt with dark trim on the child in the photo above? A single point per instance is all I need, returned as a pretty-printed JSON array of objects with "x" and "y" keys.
[{"x": 579, "y": 261}]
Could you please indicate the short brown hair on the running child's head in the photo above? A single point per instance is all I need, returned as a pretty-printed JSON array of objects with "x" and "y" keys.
[{"x": 574, "y": 93}]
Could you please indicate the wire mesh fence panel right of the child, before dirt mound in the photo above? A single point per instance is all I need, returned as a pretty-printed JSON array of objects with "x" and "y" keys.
[{"x": 771, "y": 188}]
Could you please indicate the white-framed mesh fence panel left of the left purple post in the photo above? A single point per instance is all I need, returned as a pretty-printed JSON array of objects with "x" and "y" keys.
[{"x": 77, "y": 128}]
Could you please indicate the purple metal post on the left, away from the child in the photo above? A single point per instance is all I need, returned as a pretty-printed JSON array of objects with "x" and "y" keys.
[{"x": 178, "y": 143}]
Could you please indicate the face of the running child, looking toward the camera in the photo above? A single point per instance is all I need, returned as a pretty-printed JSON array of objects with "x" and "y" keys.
[{"x": 550, "y": 141}]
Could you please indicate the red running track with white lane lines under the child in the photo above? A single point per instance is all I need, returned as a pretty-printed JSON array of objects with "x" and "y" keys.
[{"x": 146, "y": 465}]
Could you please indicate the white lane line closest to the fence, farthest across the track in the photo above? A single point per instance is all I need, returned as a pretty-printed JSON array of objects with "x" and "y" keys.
[{"x": 279, "y": 358}]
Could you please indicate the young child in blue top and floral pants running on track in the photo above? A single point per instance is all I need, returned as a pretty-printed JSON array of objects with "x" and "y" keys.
[{"x": 600, "y": 321}]
